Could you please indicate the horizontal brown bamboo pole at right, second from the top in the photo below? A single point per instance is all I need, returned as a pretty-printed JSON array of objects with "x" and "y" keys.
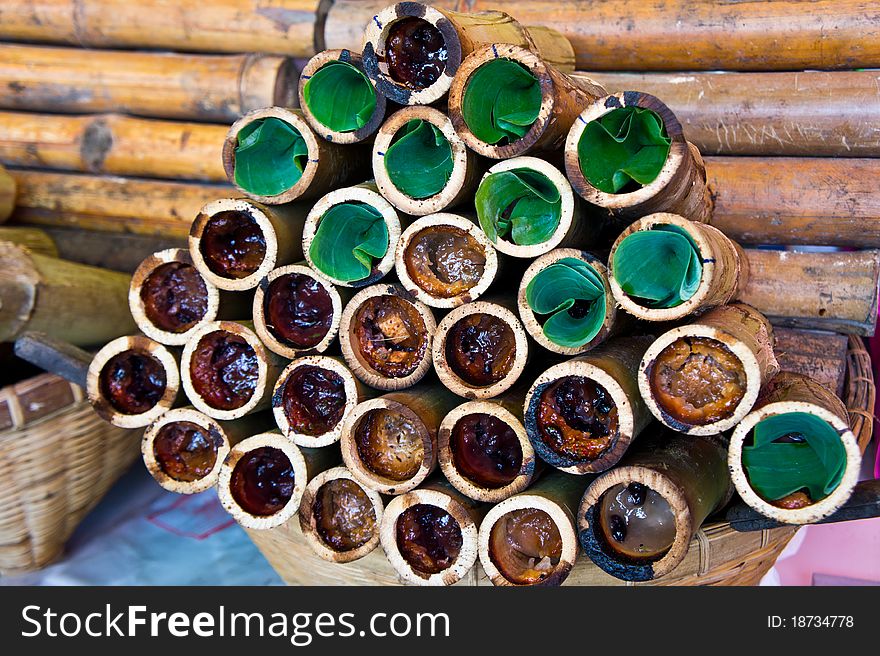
[{"x": 805, "y": 113}]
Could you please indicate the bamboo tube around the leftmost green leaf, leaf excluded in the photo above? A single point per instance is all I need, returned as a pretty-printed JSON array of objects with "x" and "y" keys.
[{"x": 329, "y": 165}]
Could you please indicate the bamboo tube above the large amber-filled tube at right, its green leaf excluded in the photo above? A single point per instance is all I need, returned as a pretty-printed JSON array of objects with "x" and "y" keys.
[{"x": 724, "y": 269}]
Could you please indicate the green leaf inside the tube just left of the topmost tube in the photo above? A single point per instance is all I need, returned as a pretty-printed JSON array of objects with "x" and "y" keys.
[{"x": 340, "y": 97}]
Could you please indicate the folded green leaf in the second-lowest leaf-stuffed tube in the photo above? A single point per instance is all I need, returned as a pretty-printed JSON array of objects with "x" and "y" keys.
[{"x": 556, "y": 289}]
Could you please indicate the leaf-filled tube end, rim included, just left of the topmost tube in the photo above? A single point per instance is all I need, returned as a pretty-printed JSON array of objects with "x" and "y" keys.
[{"x": 363, "y": 114}]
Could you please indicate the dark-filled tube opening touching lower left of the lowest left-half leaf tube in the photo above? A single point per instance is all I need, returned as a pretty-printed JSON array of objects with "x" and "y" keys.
[{"x": 296, "y": 310}]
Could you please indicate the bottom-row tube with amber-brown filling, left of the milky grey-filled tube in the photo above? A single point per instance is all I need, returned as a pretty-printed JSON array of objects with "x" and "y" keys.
[{"x": 531, "y": 538}]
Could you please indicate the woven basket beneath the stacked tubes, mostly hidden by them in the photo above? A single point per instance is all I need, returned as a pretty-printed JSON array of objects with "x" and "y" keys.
[{"x": 719, "y": 555}]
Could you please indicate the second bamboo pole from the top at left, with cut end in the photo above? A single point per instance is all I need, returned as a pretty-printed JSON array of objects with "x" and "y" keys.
[{"x": 160, "y": 85}]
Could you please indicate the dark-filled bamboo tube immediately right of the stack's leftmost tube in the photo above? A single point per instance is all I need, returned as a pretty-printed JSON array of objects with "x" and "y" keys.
[{"x": 227, "y": 373}]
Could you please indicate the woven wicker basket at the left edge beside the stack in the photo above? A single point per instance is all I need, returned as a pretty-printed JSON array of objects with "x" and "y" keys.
[{"x": 57, "y": 460}]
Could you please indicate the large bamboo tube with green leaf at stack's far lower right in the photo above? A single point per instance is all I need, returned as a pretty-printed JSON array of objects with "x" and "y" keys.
[{"x": 786, "y": 396}]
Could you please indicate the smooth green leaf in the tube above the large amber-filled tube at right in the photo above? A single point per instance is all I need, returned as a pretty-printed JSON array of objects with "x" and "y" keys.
[{"x": 658, "y": 268}]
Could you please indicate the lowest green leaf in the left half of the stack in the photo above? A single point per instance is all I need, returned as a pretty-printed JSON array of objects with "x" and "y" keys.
[{"x": 350, "y": 238}]
